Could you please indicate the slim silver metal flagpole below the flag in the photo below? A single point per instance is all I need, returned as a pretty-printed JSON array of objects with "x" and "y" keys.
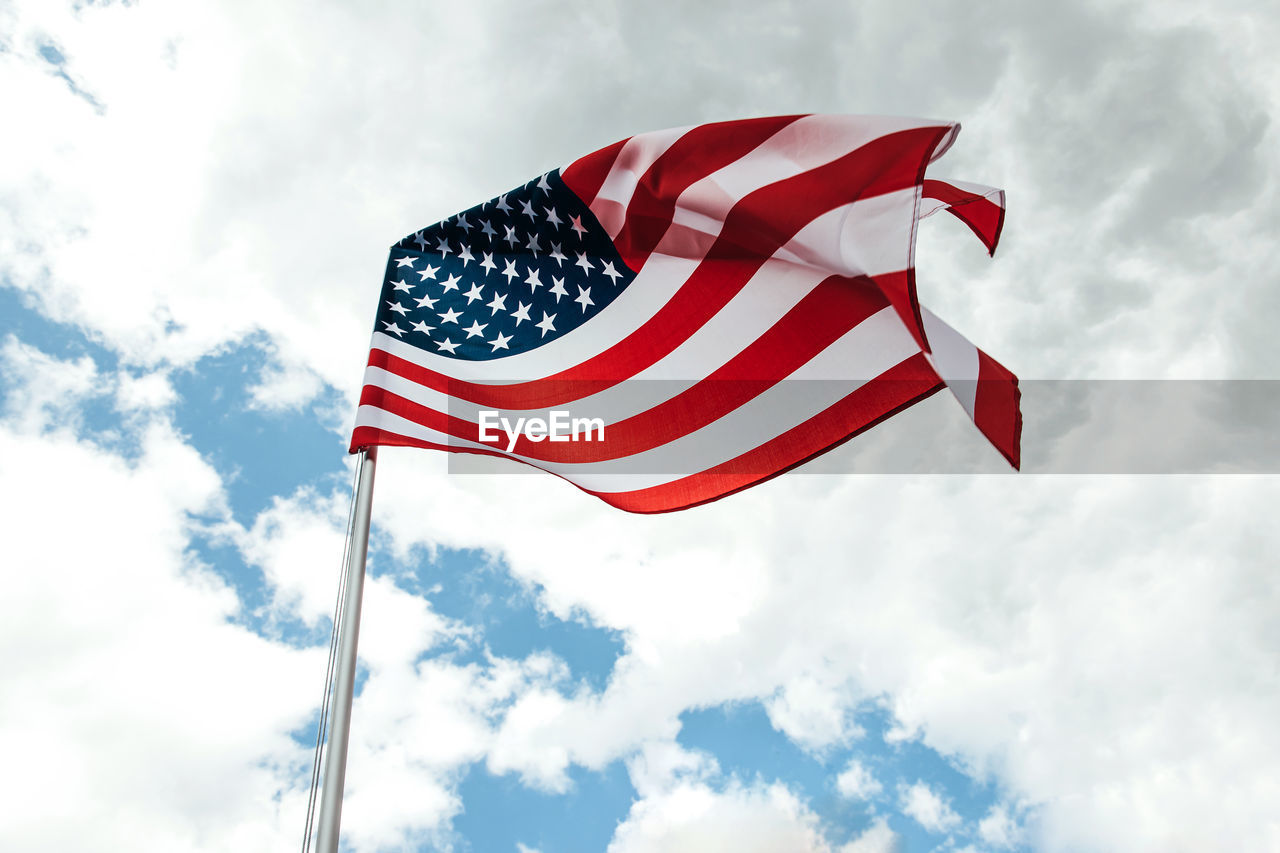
[{"x": 345, "y": 679}]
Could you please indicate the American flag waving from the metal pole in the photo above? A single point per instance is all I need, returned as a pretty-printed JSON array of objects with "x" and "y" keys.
[{"x": 685, "y": 313}]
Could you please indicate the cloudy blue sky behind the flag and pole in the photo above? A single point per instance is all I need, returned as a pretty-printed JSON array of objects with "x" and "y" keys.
[{"x": 196, "y": 203}]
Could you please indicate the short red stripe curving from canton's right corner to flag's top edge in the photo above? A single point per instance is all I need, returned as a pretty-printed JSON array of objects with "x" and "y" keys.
[{"x": 692, "y": 158}]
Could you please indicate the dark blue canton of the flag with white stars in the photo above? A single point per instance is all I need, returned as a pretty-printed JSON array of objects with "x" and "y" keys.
[{"x": 504, "y": 277}]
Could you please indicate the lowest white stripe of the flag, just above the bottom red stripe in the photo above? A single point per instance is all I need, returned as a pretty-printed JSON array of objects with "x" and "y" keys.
[{"x": 868, "y": 350}]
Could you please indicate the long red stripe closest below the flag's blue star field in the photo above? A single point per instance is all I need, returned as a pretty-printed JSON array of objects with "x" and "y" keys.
[{"x": 760, "y": 225}]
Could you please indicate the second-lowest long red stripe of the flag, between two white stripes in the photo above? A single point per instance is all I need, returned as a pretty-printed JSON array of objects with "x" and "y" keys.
[{"x": 833, "y": 309}]
